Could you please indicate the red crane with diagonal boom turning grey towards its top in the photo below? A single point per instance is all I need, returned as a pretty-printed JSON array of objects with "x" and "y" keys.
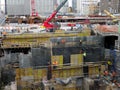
[{"x": 47, "y": 23}]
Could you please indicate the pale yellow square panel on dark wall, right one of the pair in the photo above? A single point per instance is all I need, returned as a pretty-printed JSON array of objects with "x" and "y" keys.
[{"x": 76, "y": 59}]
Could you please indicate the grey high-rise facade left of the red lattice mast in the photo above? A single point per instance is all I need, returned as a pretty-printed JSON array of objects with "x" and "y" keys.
[{"x": 18, "y": 7}]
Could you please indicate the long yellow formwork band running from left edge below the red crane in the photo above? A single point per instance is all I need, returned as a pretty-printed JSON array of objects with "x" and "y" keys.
[{"x": 26, "y": 40}]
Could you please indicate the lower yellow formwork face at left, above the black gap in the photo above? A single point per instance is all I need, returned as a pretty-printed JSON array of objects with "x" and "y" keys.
[{"x": 23, "y": 42}]
